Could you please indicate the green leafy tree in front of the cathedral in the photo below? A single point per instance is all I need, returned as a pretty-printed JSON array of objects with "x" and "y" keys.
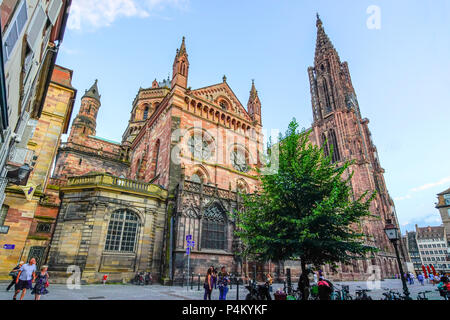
[{"x": 306, "y": 210}]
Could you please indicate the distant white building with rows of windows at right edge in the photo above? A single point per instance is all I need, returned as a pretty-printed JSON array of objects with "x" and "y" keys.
[{"x": 433, "y": 247}]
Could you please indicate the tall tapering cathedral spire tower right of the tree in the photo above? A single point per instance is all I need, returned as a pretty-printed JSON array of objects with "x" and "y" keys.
[{"x": 339, "y": 128}]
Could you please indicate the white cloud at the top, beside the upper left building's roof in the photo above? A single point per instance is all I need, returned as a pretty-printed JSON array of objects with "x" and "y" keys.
[{"x": 102, "y": 13}]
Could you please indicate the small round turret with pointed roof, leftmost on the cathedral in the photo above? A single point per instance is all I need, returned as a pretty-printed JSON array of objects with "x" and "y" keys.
[{"x": 85, "y": 122}]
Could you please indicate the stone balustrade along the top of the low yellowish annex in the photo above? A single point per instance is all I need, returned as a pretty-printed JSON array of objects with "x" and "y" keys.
[{"x": 121, "y": 183}]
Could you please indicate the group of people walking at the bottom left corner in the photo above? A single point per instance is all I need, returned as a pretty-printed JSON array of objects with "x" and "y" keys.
[{"x": 24, "y": 275}]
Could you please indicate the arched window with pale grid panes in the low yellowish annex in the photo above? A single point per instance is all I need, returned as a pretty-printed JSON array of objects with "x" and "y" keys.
[{"x": 122, "y": 232}]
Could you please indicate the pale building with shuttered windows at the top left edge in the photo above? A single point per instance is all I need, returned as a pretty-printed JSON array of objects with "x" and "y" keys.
[{"x": 32, "y": 31}]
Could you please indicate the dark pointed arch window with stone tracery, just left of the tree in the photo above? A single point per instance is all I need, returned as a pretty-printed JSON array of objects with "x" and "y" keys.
[{"x": 214, "y": 235}]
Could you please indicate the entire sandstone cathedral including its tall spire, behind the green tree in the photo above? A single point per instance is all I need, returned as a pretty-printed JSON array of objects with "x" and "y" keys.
[{"x": 184, "y": 158}]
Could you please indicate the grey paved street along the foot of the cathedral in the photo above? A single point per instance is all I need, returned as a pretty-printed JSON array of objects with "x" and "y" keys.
[{"x": 158, "y": 292}]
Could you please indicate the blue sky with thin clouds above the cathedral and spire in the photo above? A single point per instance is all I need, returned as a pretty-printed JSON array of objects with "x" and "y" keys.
[{"x": 400, "y": 72}]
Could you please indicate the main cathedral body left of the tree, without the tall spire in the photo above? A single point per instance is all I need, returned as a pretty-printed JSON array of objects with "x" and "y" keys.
[{"x": 200, "y": 146}]
